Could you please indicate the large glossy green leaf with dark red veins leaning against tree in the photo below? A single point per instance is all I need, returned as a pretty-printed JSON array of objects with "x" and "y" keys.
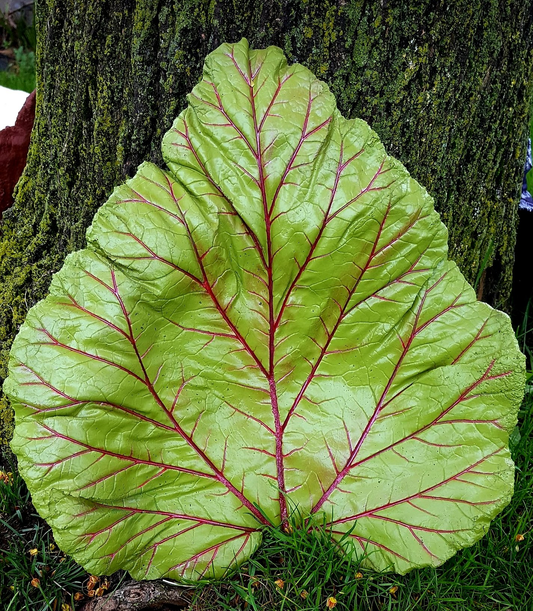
[{"x": 271, "y": 322}]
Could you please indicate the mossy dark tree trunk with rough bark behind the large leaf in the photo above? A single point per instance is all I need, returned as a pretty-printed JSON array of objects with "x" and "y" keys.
[{"x": 446, "y": 85}]
